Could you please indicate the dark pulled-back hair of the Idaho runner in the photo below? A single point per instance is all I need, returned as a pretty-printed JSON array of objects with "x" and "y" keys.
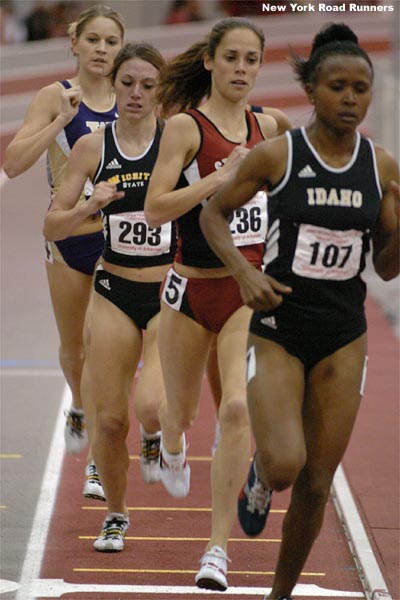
[{"x": 334, "y": 39}]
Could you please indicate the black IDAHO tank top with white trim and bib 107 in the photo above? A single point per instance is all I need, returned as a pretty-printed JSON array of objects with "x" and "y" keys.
[{"x": 320, "y": 221}]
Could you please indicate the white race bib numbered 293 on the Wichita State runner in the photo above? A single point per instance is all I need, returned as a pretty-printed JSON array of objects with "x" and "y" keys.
[{"x": 131, "y": 235}]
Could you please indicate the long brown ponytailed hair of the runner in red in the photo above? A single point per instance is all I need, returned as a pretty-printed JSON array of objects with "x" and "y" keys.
[{"x": 184, "y": 81}]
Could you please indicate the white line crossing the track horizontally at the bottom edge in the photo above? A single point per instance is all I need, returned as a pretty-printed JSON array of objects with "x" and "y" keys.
[{"x": 54, "y": 588}]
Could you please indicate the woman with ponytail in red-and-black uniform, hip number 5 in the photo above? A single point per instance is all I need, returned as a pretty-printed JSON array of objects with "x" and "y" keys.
[{"x": 199, "y": 151}]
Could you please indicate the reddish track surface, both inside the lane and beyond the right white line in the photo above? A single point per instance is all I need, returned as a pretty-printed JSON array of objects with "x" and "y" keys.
[{"x": 155, "y": 553}]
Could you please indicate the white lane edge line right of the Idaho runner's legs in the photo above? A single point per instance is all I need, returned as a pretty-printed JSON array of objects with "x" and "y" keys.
[{"x": 370, "y": 573}]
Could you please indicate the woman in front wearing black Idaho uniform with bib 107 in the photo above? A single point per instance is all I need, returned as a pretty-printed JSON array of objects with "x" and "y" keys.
[{"x": 331, "y": 190}]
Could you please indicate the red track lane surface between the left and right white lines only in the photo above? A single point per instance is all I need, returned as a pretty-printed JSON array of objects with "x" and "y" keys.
[{"x": 153, "y": 555}]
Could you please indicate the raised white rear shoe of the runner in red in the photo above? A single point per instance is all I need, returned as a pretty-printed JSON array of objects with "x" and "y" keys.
[{"x": 175, "y": 472}]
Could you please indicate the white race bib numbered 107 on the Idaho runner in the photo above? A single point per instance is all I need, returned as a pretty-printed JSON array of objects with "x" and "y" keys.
[{"x": 327, "y": 254}]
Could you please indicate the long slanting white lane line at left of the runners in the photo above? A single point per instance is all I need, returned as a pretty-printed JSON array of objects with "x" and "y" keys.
[{"x": 44, "y": 508}]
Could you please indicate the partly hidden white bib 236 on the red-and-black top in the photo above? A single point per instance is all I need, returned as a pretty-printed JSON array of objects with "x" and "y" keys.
[{"x": 249, "y": 223}]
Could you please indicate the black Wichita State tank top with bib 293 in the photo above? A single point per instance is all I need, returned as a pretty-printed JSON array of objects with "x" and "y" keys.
[{"x": 129, "y": 241}]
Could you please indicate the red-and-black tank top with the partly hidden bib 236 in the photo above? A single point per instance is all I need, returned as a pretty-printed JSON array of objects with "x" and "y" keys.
[{"x": 249, "y": 223}]
